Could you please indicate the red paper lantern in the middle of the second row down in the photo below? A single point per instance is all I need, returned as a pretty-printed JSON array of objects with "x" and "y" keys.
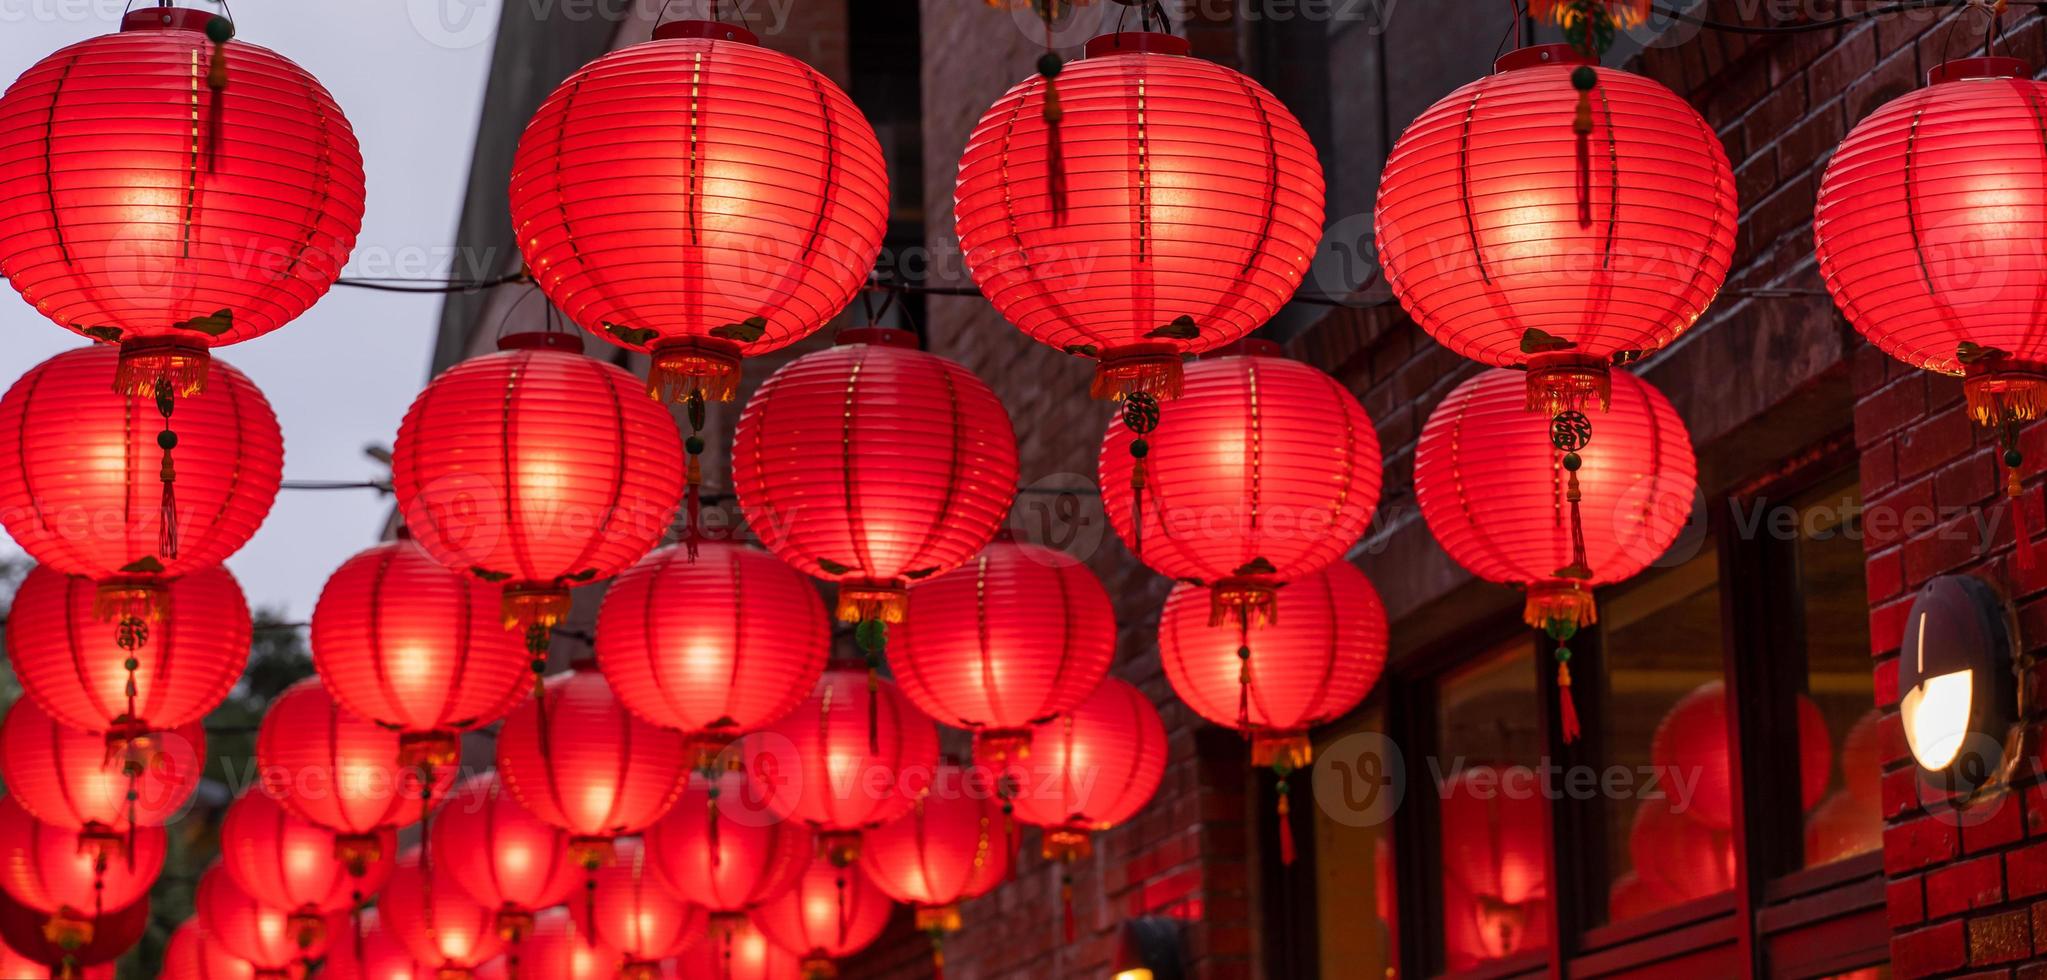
[{"x": 875, "y": 465}]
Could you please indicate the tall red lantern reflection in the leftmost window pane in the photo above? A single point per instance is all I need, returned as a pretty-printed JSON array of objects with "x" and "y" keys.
[{"x": 1495, "y": 860}]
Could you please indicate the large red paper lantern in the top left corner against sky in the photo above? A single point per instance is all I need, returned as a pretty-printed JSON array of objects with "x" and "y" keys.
[{"x": 171, "y": 220}]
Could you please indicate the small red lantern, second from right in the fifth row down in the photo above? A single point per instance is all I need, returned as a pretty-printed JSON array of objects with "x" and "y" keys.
[{"x": 726, "y": 848}]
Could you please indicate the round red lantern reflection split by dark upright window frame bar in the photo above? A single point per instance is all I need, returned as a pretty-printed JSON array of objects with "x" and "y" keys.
[{"x": 1694, "y": 740}]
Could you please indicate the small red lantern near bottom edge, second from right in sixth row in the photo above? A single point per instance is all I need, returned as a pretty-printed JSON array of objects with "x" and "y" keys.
[{"x": 634, "y": 916}]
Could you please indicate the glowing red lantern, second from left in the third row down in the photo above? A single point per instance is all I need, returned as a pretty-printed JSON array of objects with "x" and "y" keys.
[{"x": 415, "y": 645}]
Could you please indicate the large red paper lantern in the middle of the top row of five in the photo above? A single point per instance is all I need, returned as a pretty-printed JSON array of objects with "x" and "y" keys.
[{"x": 1170, "y": 208}]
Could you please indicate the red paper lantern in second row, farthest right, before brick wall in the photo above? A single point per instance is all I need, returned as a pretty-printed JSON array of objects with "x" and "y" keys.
[{"x": 1493, "y": 490}]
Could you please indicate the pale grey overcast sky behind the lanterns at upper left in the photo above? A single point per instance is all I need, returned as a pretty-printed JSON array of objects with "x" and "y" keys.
[{"x": 410, "y": 79}]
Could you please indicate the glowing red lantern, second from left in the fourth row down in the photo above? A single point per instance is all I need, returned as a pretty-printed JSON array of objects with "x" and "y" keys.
[{"x": 341, "y": 772}]
